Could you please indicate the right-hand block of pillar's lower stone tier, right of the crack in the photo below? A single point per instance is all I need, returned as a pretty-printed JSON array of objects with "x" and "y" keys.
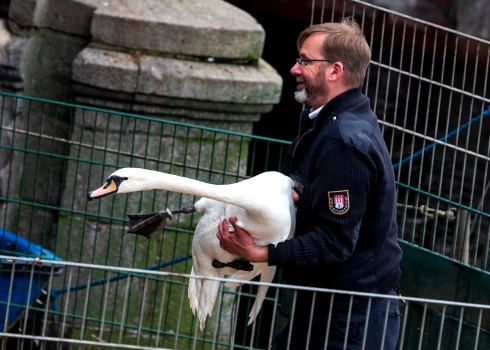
[{"x": 217, "y": 82}]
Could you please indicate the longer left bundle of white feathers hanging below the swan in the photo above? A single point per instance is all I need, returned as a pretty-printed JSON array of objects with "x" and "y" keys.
[{"x": 202, "y": 295}]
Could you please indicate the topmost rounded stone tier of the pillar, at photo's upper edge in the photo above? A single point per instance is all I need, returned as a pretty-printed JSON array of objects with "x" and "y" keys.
[{"x": 208, "y": 28}]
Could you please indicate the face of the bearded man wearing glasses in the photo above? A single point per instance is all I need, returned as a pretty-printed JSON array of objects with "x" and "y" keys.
[{"x": 310, "y": 76}]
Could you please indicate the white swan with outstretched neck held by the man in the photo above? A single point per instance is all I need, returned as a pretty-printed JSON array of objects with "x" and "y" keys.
[{"x": 263, "y": 205}]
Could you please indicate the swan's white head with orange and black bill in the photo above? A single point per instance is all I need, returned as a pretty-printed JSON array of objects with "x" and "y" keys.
[{"x": 122, "y": 181}]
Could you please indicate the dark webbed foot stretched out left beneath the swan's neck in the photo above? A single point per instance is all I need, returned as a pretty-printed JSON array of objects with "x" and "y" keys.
[{"x": 148, "y": 224}]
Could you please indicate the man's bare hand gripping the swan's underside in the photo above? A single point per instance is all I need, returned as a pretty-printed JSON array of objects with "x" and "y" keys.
[{"x": 240, "y": 242}]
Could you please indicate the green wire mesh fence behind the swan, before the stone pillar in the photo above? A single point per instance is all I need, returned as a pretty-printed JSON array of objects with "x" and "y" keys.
[{"x": 52, "y": 154}]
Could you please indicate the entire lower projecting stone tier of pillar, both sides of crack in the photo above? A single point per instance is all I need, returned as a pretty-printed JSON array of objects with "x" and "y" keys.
[{"x": 215, "y": 82}]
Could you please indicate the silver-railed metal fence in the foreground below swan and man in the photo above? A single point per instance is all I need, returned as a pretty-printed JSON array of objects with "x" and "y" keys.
[{"x": 425, "y": 323}]
